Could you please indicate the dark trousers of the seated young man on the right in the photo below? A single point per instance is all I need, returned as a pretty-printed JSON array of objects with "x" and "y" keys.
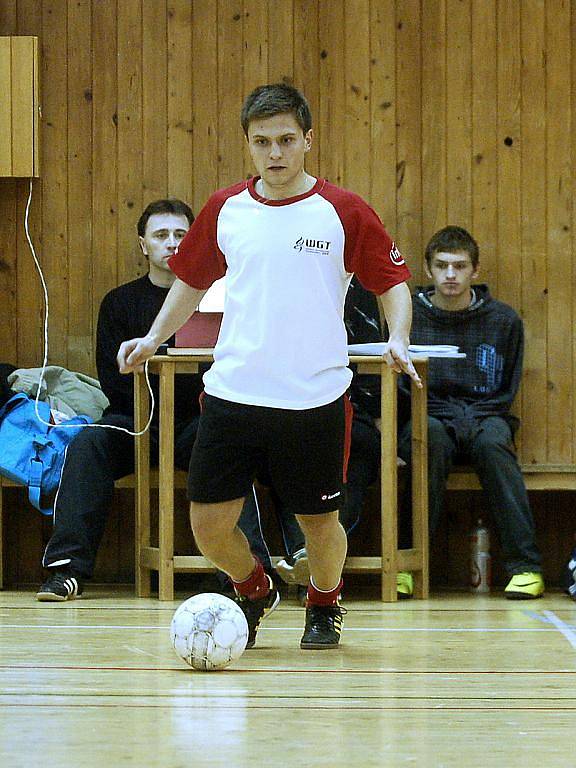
[{"x": 490, "y": 450}]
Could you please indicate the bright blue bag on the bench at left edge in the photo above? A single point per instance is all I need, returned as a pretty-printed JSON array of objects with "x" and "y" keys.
[{"x": 32, "y": 453}]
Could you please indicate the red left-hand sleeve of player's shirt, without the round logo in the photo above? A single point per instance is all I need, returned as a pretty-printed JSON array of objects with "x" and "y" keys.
[{"x": 198, "y": 261}]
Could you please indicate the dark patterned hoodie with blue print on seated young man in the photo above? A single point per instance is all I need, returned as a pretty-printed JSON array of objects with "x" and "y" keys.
[{"x": 492, "y": 336}]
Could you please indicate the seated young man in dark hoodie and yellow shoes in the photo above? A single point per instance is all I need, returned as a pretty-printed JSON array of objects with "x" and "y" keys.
[{"x": 469, "y": 400}]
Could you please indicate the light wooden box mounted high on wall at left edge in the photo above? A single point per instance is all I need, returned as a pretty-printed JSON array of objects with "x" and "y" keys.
[{"x": 19, "y": 107}]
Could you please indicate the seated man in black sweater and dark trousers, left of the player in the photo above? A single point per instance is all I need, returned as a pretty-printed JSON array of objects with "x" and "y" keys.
[{"x": 98, "y": 457}]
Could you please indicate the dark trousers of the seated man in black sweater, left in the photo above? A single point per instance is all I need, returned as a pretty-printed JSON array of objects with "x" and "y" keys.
[{"x": 95, "y": 459}]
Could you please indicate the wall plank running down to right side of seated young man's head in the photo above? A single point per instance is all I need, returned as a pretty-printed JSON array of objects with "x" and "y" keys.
[{"x": 485, "y": 137}]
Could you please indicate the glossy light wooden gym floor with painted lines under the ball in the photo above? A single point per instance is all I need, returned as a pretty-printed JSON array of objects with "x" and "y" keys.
[{"x": 458, "y": 680}]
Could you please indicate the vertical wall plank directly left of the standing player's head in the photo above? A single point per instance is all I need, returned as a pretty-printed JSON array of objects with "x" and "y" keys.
[{"x": 230, "y": 92}]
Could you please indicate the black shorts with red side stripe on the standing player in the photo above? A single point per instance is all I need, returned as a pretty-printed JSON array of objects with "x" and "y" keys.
[{"x": 303, "y": 453}]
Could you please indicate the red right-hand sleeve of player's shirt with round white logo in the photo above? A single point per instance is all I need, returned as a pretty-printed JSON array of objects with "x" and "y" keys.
[{"x": 369, "y": 251}]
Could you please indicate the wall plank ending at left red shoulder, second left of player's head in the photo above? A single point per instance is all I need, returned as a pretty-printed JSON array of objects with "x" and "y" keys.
[{"x": 205, "y": 101}]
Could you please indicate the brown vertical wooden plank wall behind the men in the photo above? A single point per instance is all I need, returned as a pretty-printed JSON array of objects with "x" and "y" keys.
[{"x": 522, "y": 76}]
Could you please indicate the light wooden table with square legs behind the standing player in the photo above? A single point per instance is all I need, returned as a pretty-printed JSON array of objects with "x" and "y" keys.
[{"x": 162, "y": 558}]
